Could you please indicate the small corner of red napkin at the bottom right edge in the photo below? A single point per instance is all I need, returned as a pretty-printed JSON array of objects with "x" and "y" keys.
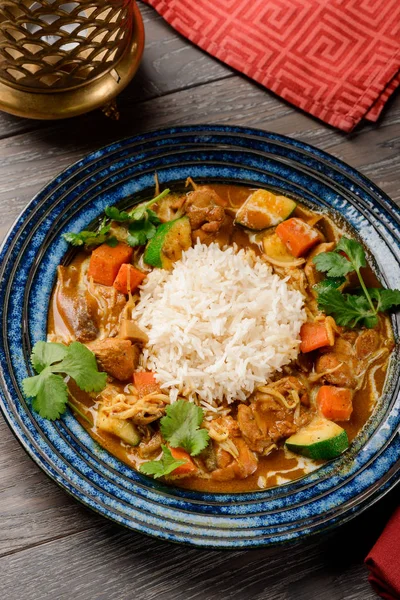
[{"x": 383, "y": 561}]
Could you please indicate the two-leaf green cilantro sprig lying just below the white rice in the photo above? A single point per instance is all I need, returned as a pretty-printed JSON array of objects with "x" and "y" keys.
[{"x": 181, "y": 429}]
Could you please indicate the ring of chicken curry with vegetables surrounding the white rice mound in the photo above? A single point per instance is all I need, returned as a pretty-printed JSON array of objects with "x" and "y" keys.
[{"x": 306, "y": 413}]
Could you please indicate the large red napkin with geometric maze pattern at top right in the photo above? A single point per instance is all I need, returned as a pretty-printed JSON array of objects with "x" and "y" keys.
[{"x": 336, "y": 59}]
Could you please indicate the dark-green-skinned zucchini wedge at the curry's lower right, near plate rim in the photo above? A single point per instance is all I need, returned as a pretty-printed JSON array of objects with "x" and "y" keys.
[{"x": 321, "y": 440}]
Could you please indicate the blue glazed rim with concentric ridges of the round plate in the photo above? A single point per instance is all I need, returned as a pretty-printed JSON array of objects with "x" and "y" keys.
[{"x": 29, "y": 257}]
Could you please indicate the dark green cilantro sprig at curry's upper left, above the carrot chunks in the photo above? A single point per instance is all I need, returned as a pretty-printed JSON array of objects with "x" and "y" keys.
[{"x": 141, "y": 222}]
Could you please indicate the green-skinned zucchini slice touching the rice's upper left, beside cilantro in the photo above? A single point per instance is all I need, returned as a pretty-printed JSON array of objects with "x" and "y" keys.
[{"x": 166, "y": 247}]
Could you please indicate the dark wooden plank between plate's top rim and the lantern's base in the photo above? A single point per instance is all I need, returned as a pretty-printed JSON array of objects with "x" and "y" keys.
[{"x": 41, "y": 154}]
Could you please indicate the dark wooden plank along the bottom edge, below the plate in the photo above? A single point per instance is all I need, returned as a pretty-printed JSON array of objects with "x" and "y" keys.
[{"x": 111, "y": 563}]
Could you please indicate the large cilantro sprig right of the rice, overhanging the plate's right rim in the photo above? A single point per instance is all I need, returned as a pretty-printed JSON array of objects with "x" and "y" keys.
[{"x": 363, "y": 305}]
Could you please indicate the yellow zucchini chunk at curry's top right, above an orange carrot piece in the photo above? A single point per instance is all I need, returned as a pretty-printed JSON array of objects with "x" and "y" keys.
[{"x": 264, "y": 209}]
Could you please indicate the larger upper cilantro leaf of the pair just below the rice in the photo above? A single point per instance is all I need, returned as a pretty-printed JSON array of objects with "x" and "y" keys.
[{"x": 181, "y": 427}]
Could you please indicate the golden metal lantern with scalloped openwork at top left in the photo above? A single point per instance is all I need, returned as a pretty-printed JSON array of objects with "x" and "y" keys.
[{"x": 61, "y": 58}]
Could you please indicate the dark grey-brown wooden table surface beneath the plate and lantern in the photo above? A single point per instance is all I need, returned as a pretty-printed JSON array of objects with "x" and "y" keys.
[{"x": 51, "y": 547}]
